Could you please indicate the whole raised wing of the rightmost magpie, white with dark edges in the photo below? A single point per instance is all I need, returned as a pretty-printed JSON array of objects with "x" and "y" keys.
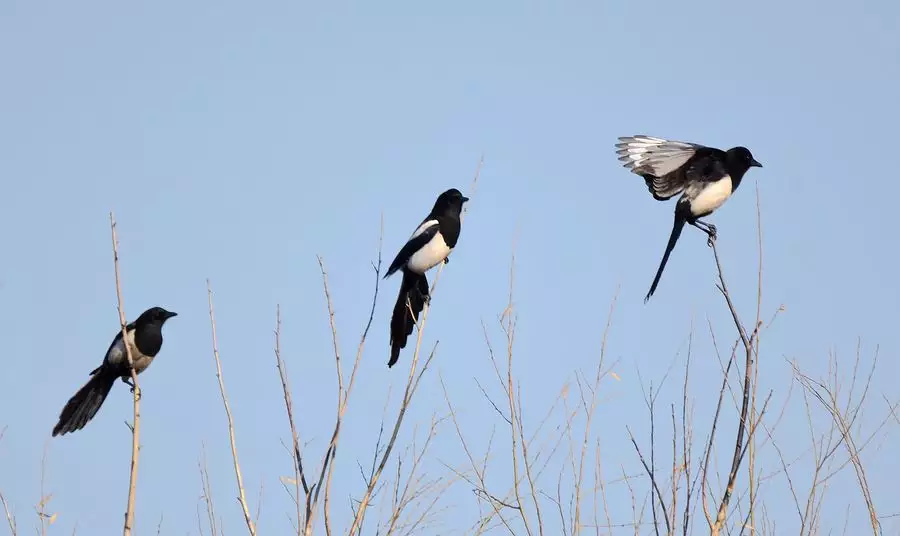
[{"x": 661, "y": 162}]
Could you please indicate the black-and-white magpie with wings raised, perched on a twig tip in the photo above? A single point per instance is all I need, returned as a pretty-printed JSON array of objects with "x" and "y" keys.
[{"x": 704, "y": 176}]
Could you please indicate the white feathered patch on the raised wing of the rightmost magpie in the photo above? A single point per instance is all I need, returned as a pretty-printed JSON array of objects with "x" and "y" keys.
[{"x": 656, "y": 156}]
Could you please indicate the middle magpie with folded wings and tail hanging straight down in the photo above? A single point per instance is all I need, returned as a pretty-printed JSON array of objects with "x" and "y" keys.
[{"x": 428, "y": 246}]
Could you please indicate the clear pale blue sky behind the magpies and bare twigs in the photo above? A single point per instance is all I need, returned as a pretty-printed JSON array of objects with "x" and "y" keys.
[{"x": 235, "y": 141}]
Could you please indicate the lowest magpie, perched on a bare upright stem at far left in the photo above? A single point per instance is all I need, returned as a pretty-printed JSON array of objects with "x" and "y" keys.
[{"x": 144, "y": 336}]
